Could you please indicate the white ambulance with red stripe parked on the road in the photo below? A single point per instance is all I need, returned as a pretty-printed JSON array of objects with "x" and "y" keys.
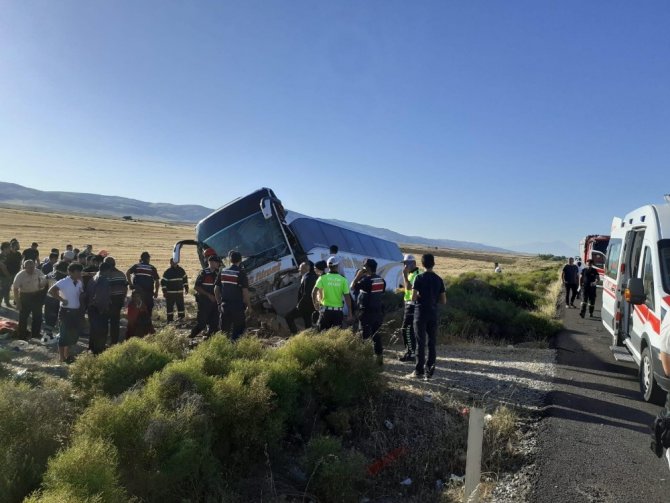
[{"x": 636, "y": 291}]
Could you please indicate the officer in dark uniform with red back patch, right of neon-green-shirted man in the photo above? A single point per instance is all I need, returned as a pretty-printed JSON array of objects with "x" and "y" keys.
[{"x": 369, "y": 289}]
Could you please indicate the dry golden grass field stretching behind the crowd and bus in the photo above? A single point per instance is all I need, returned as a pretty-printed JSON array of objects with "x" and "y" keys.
[{"x": 126, "y": 240}]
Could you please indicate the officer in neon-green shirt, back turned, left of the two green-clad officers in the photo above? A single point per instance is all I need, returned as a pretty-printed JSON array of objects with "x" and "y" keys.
[{"x": 328, "y": 294}]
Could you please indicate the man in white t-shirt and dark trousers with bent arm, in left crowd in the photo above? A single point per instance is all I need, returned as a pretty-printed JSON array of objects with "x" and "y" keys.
[{"x": 68, "y": 291}]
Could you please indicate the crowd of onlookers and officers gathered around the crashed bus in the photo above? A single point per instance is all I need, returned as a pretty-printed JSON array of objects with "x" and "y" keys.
[{"x": 67, "y": 288}]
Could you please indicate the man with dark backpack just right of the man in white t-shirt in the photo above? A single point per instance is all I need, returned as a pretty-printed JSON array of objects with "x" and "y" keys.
[{"x": 98, "y": 302}]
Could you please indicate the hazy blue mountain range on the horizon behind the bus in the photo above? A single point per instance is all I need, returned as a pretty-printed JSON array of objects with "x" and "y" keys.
[{"x": 14, "y": 195}]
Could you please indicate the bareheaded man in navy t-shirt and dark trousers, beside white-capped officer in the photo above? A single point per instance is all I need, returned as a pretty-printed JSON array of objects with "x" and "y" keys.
[{"x": 427, "y": 293}]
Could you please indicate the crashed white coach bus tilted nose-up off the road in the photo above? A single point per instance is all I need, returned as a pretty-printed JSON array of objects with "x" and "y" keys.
[{"x": 273, "y": 242}]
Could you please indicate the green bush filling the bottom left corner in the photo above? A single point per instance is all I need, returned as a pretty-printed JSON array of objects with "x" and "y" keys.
[{"x": 34, "y": 424}]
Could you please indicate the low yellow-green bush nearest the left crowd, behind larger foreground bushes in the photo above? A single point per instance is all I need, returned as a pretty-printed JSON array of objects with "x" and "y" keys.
[{"x": 117, "y": 369}]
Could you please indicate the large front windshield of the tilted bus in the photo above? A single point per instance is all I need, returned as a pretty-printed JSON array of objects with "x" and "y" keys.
[{"x": 258, "y": 240}]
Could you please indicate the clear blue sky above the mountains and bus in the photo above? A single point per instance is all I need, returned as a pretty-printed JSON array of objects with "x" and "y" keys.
[{"x": 498, "y": 122}]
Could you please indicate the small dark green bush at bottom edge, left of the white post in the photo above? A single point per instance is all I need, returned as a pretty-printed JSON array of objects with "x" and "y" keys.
[{"x": 334, "y": 473}]
